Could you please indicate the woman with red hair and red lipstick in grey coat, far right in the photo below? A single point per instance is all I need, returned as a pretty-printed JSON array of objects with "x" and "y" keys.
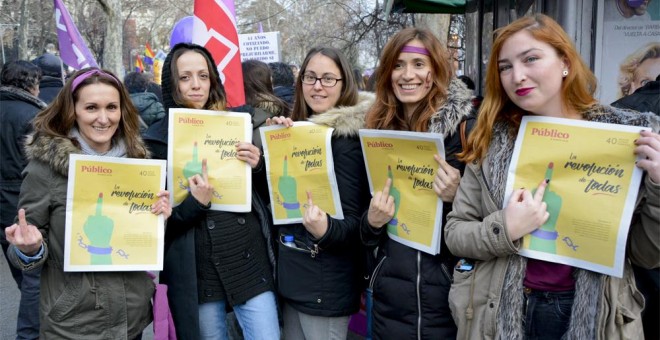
[{"x": 534, "y": 69}]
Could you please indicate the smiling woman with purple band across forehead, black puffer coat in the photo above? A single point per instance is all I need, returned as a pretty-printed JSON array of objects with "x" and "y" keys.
[{"x": 416, "y": 91}]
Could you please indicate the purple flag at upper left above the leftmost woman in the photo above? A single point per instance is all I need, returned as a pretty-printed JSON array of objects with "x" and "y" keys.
[{"x": 73, "y": 50}]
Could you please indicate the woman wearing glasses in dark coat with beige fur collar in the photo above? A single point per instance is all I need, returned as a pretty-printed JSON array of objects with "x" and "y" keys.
[{"x": 321, "y": 289}]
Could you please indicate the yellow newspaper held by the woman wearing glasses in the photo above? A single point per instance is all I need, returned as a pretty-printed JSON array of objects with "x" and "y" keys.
[{"x": 299, "y": 160}]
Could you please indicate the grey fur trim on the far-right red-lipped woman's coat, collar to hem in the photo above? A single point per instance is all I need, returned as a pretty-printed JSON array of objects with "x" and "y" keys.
[{"x": 588, "y": 285}]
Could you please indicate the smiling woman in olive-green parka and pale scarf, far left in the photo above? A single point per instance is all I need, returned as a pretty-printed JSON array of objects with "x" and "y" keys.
[{"x": 92, "y": 115}]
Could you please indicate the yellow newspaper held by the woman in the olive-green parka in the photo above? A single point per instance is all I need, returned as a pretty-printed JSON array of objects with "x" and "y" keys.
[{"x": 109, "y": 224}]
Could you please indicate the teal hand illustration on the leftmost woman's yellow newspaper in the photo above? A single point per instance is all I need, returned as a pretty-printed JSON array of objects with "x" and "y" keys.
[{"x": 98, "y": 229}]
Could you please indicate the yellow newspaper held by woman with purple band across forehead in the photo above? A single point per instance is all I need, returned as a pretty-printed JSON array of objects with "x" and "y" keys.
[{"x": 407, "y": 158}]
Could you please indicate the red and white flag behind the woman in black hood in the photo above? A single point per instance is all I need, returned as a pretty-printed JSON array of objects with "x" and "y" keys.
[{"x": 215, "y": 29}]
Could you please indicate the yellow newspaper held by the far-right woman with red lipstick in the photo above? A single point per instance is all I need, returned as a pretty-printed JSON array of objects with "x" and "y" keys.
[{"x": 592, "y": 191}]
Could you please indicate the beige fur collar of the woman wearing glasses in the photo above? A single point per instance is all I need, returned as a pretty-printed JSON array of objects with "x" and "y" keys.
[{"x": 346, "y": 120}]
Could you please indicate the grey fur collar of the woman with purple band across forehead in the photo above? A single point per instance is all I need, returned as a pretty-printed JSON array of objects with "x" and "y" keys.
[{"x": 455, "y": 109}]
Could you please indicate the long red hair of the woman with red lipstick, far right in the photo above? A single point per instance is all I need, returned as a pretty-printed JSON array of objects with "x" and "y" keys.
[{"x": 577, "y": 90}]
